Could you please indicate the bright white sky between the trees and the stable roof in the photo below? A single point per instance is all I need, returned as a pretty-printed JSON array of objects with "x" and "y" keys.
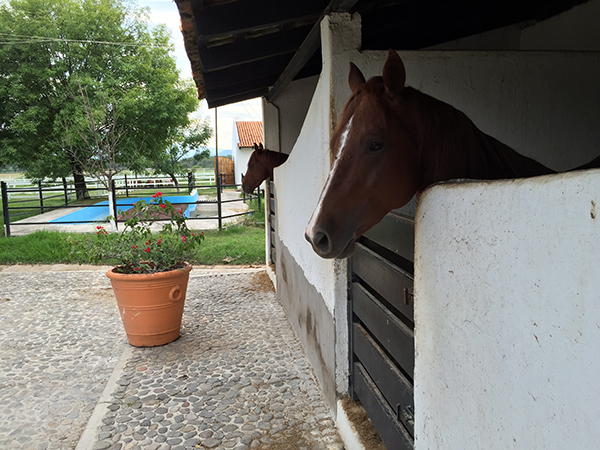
[{"x": 165, "y": 12}]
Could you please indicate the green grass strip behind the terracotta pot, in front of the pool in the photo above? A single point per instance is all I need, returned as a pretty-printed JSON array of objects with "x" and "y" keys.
[{"x": 238, "y": 244}]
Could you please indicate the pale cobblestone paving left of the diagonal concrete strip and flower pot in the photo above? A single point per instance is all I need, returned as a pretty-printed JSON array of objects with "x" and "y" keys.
[{"x": 60, "y": 339}]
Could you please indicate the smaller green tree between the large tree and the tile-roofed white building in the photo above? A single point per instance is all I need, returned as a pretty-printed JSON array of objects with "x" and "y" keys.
[{"x": 184, "y": 140}]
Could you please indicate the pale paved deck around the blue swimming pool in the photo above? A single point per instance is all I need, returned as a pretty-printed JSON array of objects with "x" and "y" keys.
[{"x": 23, "y": 227}]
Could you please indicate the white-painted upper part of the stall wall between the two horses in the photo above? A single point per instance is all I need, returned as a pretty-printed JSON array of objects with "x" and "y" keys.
[{"x": 300, "y": 180}]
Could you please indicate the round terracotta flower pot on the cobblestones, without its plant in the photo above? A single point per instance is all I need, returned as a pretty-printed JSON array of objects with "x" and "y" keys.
[{"x": 151, "y": 305}]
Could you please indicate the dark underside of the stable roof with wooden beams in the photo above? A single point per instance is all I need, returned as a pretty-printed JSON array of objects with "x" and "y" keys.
[{"x": 242, "y": 49}]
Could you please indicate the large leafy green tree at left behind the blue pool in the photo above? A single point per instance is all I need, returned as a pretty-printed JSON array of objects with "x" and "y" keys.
[{"x": 54, "y": 54}]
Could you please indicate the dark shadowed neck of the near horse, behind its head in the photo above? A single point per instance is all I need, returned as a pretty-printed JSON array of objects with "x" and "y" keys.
[{"x": 452, "y": 147}]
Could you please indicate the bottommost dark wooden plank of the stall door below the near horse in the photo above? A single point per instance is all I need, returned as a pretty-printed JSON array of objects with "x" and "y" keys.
[{"x": 392, "y": 433}]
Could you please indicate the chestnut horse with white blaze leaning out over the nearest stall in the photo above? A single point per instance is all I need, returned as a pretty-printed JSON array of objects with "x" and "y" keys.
[{"x": 391, "y": 143}]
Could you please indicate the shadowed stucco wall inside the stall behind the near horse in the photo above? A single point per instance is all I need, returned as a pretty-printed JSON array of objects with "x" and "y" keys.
[{"x": 543, "y": 104}]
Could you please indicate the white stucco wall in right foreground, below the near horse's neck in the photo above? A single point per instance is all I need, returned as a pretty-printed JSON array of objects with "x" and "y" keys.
[{"x": 507, "y": 309}]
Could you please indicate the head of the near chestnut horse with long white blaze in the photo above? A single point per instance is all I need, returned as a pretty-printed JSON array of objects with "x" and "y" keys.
[{"x": 376, "y": 166}]
